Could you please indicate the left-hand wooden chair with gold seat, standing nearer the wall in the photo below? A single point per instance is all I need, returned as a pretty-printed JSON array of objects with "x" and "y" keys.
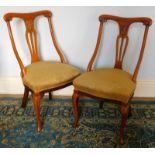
[{"x": 40, "y": 76}]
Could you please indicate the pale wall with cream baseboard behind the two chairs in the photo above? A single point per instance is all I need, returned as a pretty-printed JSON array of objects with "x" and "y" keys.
[{"x": 76, "y": 31}]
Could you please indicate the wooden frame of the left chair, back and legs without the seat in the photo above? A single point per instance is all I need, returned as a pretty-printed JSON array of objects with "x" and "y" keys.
[{"x": 31, "y": 38}]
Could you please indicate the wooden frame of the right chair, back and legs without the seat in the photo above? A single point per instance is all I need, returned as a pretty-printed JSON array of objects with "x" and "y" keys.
[{"x": 124, "y": 24}]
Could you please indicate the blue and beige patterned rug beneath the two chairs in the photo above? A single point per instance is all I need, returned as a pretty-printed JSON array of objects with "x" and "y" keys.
[{"x": 98, "y": 128}]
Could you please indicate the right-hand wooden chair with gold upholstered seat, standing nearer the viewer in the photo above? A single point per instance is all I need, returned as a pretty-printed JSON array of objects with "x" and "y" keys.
[{"x": 112, "y": 84}]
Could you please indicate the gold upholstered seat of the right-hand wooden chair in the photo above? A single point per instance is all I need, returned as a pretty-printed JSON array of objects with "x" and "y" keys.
[{"x": 108, "y": 83}]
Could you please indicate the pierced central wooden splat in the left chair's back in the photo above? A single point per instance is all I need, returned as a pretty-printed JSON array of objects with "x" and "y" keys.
[{"x": 31, "y": 39}]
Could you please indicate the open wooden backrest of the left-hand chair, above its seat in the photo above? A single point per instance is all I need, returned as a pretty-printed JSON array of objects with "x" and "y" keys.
[{"x": 30, "y": 34}]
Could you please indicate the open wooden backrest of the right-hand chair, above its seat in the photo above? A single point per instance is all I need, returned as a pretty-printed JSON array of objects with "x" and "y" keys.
[{"x": 122, "y": 39}]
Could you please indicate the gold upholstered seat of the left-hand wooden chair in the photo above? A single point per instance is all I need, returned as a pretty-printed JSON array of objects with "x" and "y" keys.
[{"x": 44, "y": 75}]
